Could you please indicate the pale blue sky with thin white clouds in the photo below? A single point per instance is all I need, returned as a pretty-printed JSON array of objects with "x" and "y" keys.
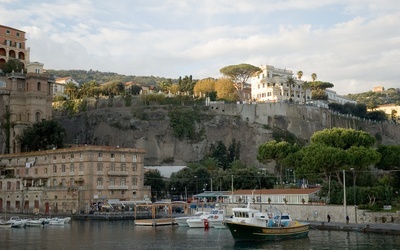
[{"x": 353, "y": 44}]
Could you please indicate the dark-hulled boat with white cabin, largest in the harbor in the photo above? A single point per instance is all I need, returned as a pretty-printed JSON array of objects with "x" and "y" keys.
[{"x": 249, "y": 224}]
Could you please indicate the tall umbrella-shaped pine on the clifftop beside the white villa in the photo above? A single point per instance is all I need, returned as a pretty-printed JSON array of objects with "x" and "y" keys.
[{"x": 239, "y": 74}]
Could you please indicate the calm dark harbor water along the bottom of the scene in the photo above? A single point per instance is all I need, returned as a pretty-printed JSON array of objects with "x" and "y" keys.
[{"x": 125, "y": 235}]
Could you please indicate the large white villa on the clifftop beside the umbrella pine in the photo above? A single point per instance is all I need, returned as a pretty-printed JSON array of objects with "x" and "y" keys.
[{"x": 271, "y": 85}]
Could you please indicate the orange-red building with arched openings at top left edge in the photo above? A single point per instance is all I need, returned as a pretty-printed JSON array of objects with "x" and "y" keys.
[{"x": 12, "y": 45}]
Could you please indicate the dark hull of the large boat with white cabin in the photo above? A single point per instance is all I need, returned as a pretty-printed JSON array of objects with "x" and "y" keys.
[{"x": 247, "y": 232}]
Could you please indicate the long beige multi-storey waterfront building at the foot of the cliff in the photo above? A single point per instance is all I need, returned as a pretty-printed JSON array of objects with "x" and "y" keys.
[{"x": 70, "y": 180}]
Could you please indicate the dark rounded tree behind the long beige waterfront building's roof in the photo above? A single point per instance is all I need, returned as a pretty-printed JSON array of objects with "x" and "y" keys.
[{"x": 42, "y": 135}]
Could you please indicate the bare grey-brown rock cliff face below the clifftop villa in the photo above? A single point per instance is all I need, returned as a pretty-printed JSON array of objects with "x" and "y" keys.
[{"x": 149, "y": 128}]
